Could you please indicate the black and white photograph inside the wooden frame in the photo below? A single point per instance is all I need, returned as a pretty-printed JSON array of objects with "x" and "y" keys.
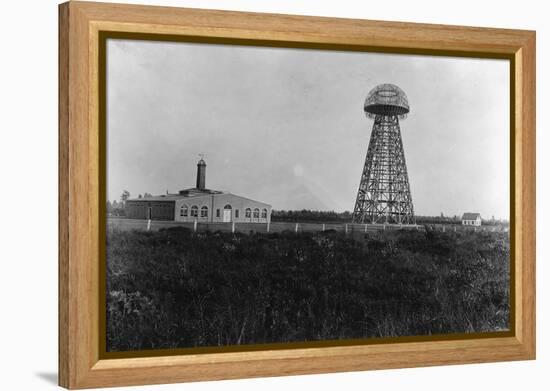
[{"x": 270, "y": 195}]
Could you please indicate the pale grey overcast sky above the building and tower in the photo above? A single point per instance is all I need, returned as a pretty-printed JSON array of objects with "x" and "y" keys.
[{"x": 287, "y": 127}]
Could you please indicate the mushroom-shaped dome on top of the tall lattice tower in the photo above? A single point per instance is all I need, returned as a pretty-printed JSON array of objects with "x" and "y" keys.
[{"x": 386, "y": 99}]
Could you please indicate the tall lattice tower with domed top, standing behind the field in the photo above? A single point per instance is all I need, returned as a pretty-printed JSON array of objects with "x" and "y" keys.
[{"x": 384, "y": 194}]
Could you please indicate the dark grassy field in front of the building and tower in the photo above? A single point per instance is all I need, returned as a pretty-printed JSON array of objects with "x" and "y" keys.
[{"x": 175, "y": 288}]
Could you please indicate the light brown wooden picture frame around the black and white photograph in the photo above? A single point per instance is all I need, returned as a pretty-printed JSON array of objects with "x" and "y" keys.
[{"x": 82, "y": 165}]
